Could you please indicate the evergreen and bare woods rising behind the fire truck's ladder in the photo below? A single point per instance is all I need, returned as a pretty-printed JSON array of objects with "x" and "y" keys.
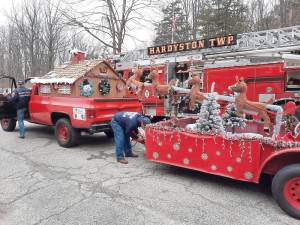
[{"x": 195, "y": 19}]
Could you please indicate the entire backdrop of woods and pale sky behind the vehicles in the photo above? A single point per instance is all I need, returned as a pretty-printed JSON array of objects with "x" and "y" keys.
[{"x": 40, "y": 33}]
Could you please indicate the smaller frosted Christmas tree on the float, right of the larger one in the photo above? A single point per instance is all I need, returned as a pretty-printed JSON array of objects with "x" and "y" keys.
[{"x": 231, "y": 119}]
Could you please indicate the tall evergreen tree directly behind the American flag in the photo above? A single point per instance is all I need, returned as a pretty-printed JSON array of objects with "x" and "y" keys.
[{"x": 173, "y": 17}]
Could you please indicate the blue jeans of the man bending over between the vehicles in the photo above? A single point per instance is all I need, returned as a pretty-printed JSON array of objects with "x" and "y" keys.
[{"x": 122, "y": 141}]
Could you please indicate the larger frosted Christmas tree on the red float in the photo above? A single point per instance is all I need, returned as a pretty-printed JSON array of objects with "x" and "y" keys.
[{"x": 210, "y": 120}]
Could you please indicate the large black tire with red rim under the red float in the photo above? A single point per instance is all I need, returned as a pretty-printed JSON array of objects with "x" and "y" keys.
[{"x": 286, "y": 189}]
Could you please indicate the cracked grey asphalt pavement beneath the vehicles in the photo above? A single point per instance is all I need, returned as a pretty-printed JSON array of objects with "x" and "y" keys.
[{"x": 42, "y": 183}]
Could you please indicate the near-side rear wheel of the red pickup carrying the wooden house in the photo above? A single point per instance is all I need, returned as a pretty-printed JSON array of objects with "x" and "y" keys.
[{"x": 65, "y": 134}]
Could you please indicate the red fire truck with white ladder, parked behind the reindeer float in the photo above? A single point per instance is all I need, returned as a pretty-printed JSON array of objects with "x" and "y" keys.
[{"x": 268, "y": 60}]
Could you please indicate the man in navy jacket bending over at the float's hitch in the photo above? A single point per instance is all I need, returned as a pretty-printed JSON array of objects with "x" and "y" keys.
[{"x": 125, "y": 125}]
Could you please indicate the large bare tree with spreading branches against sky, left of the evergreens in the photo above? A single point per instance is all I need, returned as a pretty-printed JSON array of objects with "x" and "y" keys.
[{"x": 109, "y": 21}]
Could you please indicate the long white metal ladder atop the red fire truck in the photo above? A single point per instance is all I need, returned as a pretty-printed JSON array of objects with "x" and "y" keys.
[{"x": 254, "y": 43}]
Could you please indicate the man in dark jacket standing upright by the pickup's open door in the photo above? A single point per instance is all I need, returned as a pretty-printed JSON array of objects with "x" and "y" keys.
[{"x": 20, "y": 99}]
